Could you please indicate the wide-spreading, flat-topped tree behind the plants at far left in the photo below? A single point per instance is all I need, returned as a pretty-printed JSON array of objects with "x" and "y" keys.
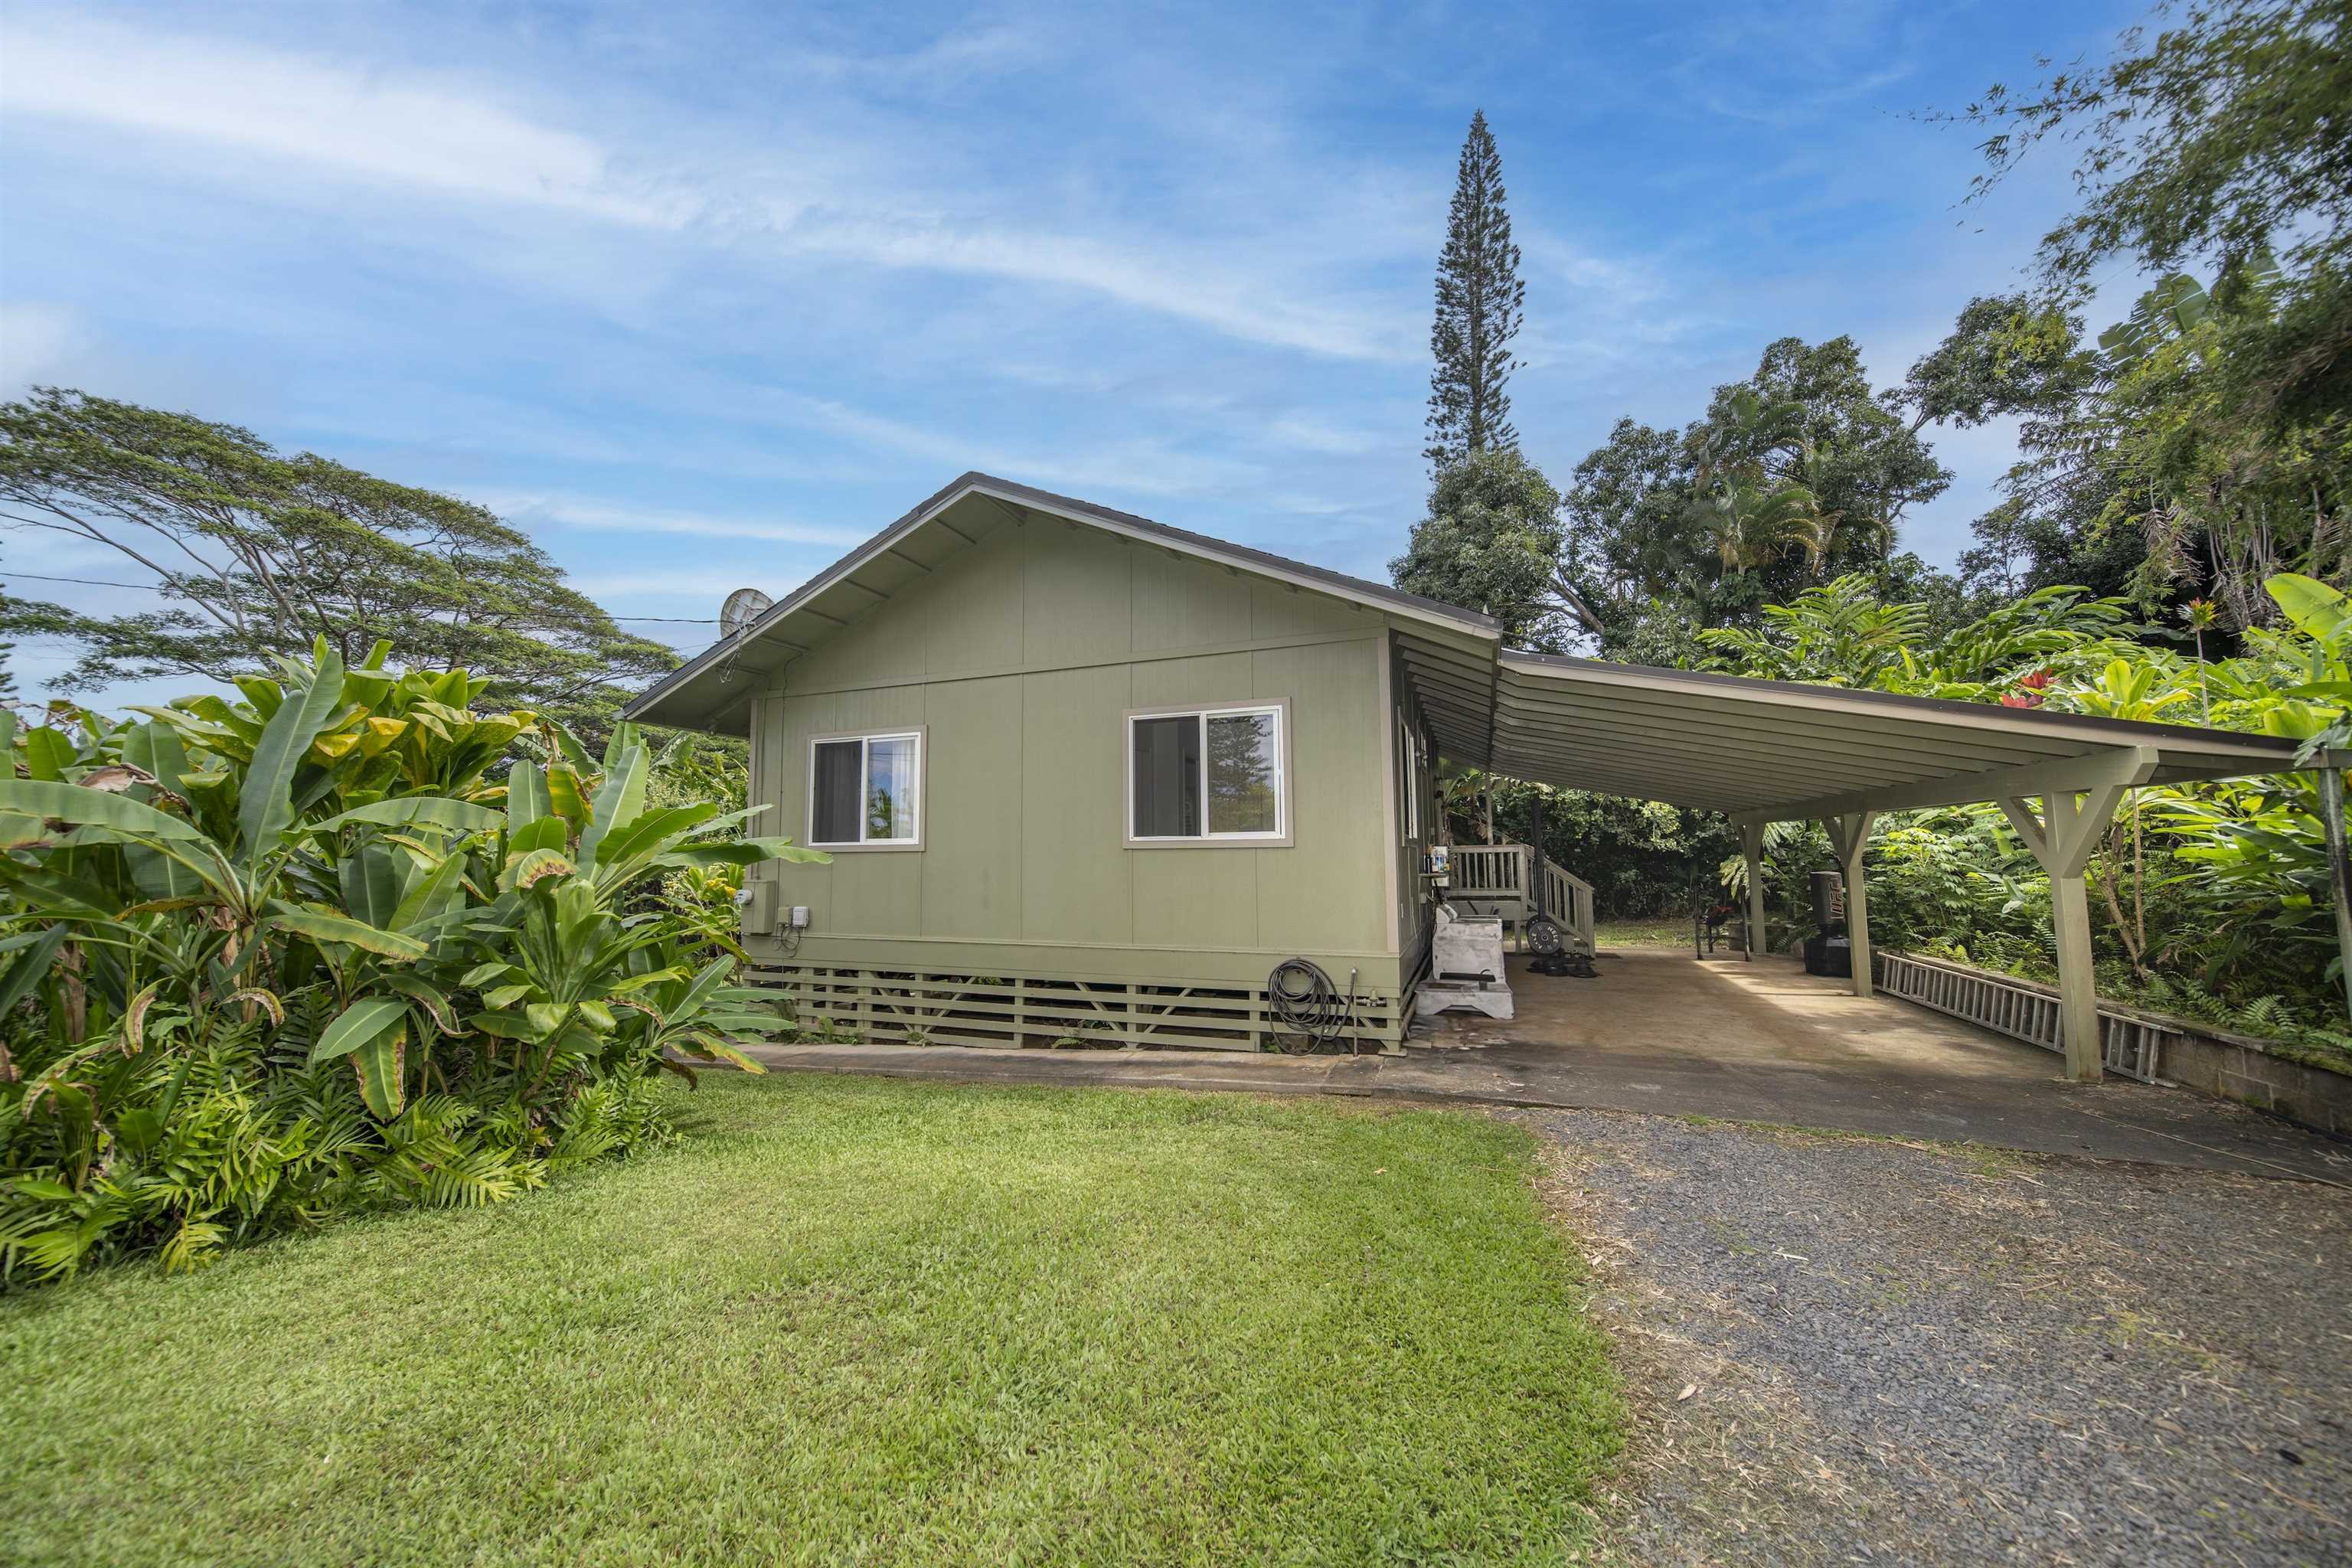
[{"x": 258, "y": 554}]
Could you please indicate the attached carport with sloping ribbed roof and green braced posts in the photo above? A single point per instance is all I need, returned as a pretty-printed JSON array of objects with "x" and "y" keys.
[{"x": 1777, "y": 751}]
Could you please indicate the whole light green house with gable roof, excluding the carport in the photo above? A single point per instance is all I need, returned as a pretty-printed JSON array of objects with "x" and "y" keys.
[{"x": 1083, "y": 777}]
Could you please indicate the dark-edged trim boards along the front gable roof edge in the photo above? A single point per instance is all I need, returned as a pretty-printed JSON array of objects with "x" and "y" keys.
[{"x": 1220, "y": 551}]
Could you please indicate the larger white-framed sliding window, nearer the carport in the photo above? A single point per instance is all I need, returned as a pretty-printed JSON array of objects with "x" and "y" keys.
[{"x": 1215, "y": 775}]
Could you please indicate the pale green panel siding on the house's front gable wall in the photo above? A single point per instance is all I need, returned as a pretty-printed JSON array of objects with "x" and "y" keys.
[{"x": 1022, "y": 659}]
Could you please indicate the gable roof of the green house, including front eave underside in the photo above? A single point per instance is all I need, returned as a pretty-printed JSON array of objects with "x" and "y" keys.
[{"x": 709, "y": 690}]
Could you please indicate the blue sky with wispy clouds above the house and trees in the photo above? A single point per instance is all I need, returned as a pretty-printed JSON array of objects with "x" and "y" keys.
[{"x": 700, "y": 295}]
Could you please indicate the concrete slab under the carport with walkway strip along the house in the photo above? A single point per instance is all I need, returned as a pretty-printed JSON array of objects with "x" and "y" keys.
[{"x": 1673, "y": 1036}]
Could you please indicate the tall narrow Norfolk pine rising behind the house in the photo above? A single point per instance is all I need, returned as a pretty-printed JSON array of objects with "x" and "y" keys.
[{"x": 1478, "y": 314}]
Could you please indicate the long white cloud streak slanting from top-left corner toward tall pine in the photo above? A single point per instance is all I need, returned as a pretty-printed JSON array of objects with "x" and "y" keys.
[{"x": 450, "y": 138}]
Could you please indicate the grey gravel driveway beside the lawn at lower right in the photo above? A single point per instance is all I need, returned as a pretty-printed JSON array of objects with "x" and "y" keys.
[{"x": 1946, "y": 1355}]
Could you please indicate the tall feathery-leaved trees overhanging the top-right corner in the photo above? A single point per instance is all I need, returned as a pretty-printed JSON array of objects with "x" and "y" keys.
[{"x": 2207, "y": 441}]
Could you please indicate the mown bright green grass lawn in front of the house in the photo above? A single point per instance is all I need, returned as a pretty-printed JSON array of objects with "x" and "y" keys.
[{"x": 857, "y": 1322}]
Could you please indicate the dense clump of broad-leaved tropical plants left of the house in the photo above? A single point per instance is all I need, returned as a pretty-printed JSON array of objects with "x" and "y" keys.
[{"x": 305, "y": 953}]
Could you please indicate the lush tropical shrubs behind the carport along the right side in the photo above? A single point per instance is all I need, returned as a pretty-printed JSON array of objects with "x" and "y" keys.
[{"x": 2210, "y": 899}]
